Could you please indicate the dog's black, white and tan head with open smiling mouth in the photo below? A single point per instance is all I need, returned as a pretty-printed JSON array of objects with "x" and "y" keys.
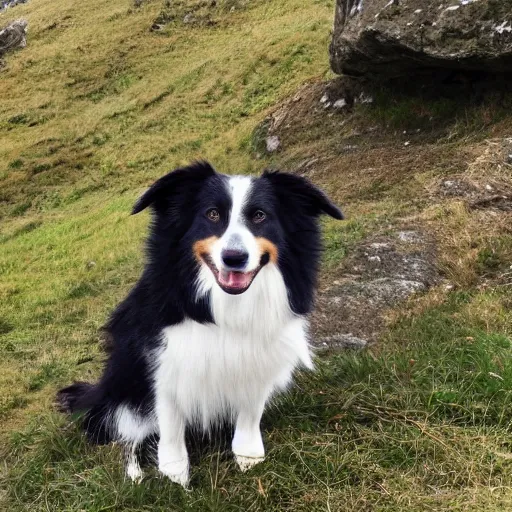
[{"x": 235, "y": 225}]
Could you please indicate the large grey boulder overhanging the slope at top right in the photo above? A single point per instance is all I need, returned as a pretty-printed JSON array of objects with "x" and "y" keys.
[{"x": 390, "y": 38}]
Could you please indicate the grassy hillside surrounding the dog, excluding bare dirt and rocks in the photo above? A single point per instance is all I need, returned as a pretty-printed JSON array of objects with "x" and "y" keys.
[{"x": 92, "y": 111}]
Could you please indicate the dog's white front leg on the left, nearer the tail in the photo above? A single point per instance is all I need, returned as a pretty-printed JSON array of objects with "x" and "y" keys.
[{"x": 172, "y": 452}]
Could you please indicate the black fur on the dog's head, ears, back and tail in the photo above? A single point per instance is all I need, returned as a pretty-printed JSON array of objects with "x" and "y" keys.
[{"x": 165, "y": 294}]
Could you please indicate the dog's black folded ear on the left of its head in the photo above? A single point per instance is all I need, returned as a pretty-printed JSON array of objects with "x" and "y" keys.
[{"x": 173, "y": 183}]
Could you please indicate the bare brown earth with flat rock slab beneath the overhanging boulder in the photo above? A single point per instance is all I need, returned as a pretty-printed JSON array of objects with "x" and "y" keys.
[{"x": 433, "y": 161}]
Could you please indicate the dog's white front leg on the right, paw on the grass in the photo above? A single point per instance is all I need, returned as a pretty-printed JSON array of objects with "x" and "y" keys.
[{"x": 247, "y": 443}]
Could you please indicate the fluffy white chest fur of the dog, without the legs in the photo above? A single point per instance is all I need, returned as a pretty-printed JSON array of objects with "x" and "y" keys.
[{"x": 214, "y": 370}]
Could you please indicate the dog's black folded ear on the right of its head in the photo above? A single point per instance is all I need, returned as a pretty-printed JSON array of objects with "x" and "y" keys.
[{"x": 301, "y": 193}]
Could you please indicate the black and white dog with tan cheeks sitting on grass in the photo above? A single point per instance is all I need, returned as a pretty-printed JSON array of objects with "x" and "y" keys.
[{"x": 218, "y": 321}]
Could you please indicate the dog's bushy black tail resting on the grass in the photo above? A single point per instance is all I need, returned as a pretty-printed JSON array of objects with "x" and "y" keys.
[{"x": 84, "y": 398}]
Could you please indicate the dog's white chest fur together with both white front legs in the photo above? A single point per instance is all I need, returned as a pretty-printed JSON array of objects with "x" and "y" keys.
[{"x": 230, "y": 368}]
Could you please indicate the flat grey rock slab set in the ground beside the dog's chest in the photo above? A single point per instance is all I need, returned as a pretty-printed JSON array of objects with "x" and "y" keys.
[{"x": 381, "y": 273}]
